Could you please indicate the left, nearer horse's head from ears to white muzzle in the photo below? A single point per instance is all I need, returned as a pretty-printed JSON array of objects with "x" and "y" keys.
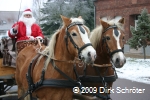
[{"x": 77, "y": 40}]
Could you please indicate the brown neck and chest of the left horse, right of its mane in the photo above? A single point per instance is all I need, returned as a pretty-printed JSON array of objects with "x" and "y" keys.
[{"x": 63, "y": 56}]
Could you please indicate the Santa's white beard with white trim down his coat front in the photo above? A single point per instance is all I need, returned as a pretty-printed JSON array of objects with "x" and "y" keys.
[{"x": 28, "y": 22}]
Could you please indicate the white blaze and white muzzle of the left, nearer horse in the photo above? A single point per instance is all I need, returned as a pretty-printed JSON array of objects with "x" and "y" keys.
[{"x": 88, "y": 53}]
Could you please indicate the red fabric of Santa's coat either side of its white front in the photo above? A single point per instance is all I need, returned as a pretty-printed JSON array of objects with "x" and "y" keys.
[{"x": 21, "y": 35}]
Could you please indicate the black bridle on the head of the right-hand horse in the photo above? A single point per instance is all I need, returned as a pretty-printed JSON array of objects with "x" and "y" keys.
[{"x": 104, "y": 40}]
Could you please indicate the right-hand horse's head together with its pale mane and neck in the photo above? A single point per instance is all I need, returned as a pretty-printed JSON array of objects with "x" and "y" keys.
[{"x": 108, "y": 39}]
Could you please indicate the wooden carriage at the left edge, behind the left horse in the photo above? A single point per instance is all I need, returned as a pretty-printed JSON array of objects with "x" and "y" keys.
[{"x": 6, "y": 73}]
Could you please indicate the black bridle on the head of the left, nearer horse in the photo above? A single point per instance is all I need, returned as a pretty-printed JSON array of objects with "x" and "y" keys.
[{"x": 72, "y": 41}]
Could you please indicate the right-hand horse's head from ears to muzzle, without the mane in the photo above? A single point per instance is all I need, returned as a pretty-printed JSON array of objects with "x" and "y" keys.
[{"x": 113, "y": 38}]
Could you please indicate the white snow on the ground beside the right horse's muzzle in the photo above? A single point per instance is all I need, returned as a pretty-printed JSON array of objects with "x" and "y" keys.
[{"x": 136, "y": 70}]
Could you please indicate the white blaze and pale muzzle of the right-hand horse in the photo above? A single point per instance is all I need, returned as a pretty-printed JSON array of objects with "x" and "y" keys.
[{"x": 118, "y": 58}]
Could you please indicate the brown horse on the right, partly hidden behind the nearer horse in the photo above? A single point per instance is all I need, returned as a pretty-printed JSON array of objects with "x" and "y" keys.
[{"x": 108, "y": 40}]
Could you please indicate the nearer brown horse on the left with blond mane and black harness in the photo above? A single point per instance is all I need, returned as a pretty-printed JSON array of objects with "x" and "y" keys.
[{"x": 56, "y": 62}]
